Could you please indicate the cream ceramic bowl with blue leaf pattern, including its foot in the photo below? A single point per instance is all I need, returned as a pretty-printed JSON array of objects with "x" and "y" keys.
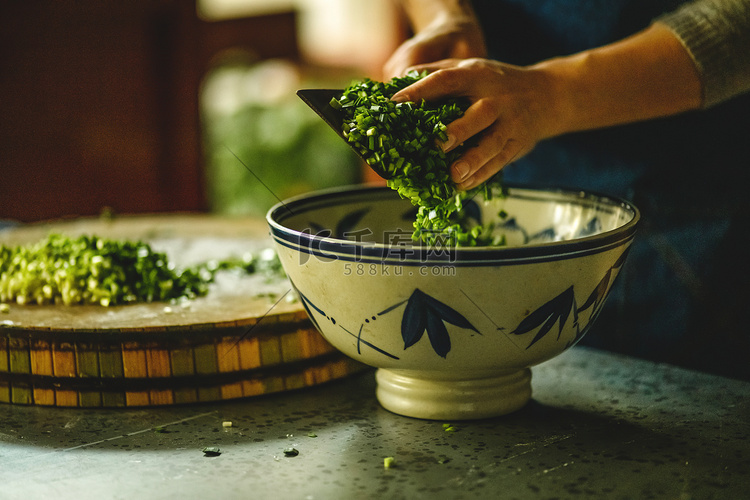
[{"x": 452, "y": 331}]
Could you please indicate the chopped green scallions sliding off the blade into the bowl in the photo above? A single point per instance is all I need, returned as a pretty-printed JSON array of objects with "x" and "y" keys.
[{"x": 401, "y": 140}]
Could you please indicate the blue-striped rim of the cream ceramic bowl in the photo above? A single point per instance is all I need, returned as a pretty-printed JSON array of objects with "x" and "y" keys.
[{"x": 368, "y": 252}]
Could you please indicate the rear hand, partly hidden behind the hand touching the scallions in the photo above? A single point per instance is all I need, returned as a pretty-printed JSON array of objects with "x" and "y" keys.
[{"x": 453, "y": 38}]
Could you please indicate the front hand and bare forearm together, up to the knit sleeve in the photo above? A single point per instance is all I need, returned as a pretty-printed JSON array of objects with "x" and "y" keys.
[{"x": 511, "y": 108}]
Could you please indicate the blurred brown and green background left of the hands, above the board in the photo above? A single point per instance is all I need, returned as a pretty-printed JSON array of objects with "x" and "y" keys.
[{"x": 176, "y": 105}]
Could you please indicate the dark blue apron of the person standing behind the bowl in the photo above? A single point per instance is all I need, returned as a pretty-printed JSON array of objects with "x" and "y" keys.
[{"x": 684, "y": 295}]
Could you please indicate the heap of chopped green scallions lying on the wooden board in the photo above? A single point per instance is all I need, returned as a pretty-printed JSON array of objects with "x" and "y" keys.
[{"x": 92, "y": 270}]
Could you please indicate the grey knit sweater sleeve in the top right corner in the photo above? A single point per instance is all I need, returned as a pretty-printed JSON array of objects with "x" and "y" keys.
[{"x": 716, "y": 33}]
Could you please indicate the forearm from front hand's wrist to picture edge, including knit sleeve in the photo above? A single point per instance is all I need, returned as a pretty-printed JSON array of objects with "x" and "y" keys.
[{"x": 695, "y": 57}]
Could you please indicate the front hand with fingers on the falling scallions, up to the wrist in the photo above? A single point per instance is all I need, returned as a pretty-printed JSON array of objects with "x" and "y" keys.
[{"x": 510, "y": 111}]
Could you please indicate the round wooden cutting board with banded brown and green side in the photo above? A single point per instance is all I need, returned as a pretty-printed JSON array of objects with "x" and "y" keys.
[{"x": 249, "y": 336}]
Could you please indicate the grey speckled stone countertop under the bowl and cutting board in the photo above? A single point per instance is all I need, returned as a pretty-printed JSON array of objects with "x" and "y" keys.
[{"x": 599, "y": 426}]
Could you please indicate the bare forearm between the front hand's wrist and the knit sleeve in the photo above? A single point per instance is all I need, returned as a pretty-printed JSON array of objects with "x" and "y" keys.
[{"x": 645, "y": 76}]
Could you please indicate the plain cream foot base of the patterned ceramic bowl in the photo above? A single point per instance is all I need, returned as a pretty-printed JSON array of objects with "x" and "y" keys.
[{"x": 410, "y": 395}]
